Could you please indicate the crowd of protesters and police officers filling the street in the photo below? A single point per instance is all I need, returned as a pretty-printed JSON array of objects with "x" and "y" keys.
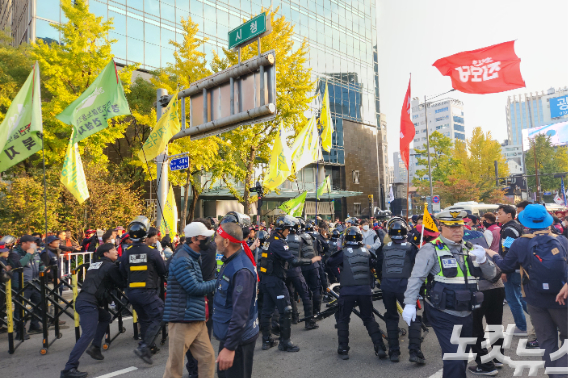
[{"x": 237, "y": 282}]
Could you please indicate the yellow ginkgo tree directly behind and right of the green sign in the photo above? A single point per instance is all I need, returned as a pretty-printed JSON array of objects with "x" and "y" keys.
[{"x": 250, "y": 146}]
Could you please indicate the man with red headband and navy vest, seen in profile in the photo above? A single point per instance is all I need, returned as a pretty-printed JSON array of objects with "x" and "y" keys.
[{"x": 235, "y": 311}]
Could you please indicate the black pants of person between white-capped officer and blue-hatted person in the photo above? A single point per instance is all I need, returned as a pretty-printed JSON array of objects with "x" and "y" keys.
[{"x": 492, "y": 309}]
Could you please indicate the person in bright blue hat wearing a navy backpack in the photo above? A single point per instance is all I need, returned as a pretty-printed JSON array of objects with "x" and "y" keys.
[{"x": 542, "y": 257}]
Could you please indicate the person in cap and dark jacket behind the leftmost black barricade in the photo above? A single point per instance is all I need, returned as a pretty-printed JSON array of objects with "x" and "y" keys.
[{"x": 30, "y": 260}]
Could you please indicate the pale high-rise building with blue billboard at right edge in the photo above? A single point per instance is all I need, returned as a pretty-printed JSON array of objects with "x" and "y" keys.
[{"x": 544, "y": 108}]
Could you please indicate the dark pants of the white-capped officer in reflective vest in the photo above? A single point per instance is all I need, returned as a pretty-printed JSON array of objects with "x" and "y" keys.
[{"x": 443, "y": 324}]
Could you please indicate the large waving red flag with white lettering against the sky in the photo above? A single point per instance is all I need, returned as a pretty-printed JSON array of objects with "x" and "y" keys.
[{"x": 492, "y": 69}]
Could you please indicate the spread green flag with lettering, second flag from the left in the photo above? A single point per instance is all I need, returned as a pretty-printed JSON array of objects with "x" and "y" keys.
[{"x": 104, "y": 99}]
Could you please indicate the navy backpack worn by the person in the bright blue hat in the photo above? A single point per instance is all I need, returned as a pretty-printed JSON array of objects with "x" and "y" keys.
[{"x": 546, "y": 271}]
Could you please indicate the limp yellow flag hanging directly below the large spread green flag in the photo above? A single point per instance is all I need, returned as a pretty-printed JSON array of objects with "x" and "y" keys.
[{"x": 72, "y": 174}]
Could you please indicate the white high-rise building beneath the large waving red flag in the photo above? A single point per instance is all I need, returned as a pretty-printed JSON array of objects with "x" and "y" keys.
[{"x": 445, "y": 116}]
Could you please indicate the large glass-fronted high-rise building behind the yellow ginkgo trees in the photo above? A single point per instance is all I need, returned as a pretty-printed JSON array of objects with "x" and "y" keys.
[{"x": 341, "y": 35}]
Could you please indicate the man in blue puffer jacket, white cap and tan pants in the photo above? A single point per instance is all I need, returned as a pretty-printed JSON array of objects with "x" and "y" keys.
[{"x": 185, "y": 309}]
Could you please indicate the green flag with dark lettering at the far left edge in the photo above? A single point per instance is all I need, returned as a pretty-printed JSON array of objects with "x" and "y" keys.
[{"x": 20, "y": 132}]
